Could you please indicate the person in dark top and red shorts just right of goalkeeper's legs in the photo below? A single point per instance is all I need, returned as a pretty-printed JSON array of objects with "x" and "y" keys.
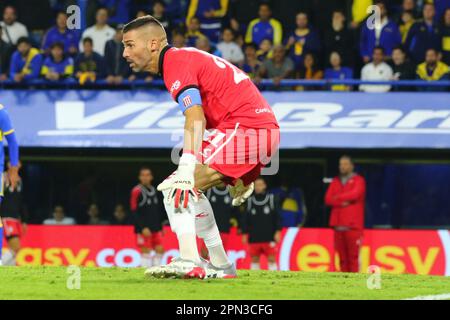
[{"x": 261, "y": 226}]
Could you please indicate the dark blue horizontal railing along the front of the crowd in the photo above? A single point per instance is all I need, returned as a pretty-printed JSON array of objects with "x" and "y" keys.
[{"x": 264, "y": 84}]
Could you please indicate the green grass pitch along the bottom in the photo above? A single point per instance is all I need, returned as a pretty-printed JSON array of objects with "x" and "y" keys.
[{"x": 115, "y": 283}]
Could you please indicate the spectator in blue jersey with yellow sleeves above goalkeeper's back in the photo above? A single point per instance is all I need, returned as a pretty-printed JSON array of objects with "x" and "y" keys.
[{"x": 264, "y": 27}]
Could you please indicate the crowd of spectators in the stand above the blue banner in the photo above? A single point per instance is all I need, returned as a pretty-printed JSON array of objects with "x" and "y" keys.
[{"x": 276, "y": 40}]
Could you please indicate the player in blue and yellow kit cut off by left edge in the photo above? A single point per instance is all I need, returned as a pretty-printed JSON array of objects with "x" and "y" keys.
[{"x": 7, "y": 131}]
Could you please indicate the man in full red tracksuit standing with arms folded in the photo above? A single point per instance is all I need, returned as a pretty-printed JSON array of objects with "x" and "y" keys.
[{"x": 346, "y": 197}]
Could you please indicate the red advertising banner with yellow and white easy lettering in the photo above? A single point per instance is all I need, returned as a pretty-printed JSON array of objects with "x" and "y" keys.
[{"x": 394, "y": 251}]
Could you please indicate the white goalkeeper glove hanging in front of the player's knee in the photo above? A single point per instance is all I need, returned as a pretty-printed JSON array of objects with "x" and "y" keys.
[{"x": 182, "y": 183}]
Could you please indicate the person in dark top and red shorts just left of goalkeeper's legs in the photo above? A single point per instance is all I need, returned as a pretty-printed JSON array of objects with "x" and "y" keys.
[{"x": 148, "y": 215}]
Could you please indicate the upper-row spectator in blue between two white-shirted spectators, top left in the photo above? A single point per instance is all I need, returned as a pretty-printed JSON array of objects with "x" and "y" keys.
[{"x": 60, "y": 33}]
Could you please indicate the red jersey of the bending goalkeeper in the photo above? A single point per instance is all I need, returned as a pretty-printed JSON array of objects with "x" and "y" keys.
[{"x": 226, "y": 93}]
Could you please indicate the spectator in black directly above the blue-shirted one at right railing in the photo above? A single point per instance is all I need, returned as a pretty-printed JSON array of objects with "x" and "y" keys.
[{"x": 339, "y": 39}]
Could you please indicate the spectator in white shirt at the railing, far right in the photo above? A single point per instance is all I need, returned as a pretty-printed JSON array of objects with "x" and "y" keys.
[{"x": 377, "y": 70}]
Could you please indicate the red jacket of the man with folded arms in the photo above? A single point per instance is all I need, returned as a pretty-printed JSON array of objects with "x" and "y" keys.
[{"x": 352, "y": 193}]
